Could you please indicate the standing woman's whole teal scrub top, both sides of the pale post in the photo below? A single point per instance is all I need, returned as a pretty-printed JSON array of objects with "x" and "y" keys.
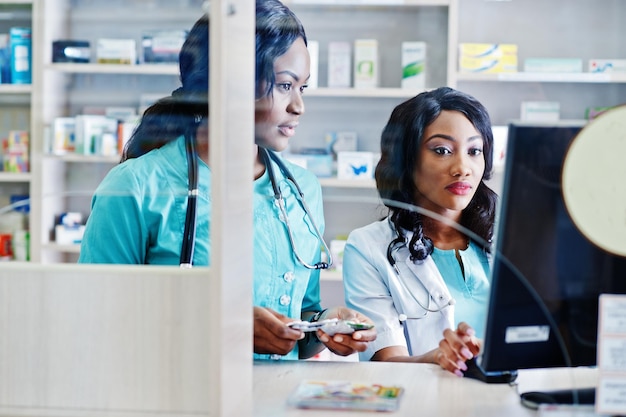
[{"x": 138, "y": 216}]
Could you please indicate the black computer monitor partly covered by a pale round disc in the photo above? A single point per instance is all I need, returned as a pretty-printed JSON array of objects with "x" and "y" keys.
[{"x": 547, "y": 276}]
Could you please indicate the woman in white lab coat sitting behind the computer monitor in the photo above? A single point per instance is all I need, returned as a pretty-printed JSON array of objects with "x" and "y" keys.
[{"x": 423, "y": 280}]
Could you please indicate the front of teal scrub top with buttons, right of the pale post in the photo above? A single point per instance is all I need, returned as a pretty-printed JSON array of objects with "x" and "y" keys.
[{"x": 280, "y": 281}]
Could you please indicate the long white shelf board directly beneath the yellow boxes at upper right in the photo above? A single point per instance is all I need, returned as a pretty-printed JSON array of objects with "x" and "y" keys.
[{"x": 580, "y": 77}]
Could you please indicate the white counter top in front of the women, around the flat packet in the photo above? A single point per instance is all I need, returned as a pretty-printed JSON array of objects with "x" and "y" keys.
[{"x": 429, "y": 390}]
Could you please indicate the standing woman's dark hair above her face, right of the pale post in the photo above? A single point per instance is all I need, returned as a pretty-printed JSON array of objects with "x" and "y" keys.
[{"x": 277, "y": 28}]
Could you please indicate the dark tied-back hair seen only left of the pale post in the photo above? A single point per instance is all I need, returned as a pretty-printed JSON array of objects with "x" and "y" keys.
[{"x": 178, "y": 114}]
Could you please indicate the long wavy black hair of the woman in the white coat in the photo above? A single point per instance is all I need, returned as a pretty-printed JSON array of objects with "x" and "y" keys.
[{"x": 401, "y": 141}]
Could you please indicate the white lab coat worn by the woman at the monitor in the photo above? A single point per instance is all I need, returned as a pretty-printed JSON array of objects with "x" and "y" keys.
[{"x": 373, "y": 288}]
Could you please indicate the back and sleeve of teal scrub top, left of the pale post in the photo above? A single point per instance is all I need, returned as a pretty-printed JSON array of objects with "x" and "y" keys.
[{"x": 138, "y": 211}]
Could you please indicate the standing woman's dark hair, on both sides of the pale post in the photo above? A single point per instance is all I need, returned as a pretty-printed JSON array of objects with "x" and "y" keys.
[{"x": 277, "y": 28}]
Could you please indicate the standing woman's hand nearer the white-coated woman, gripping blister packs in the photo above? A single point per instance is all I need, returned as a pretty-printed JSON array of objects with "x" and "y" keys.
[{"x": 346, "y": 344}]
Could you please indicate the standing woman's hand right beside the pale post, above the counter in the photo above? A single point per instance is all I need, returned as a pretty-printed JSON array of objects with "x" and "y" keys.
[{"x": 271, "y": 335}]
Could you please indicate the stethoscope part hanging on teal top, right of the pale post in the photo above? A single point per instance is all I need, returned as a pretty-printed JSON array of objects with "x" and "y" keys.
[{"x": 268, "y": 157}]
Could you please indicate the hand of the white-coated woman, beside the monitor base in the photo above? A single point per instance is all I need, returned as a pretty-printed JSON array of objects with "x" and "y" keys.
[{"x": 456, "y": 347}]
